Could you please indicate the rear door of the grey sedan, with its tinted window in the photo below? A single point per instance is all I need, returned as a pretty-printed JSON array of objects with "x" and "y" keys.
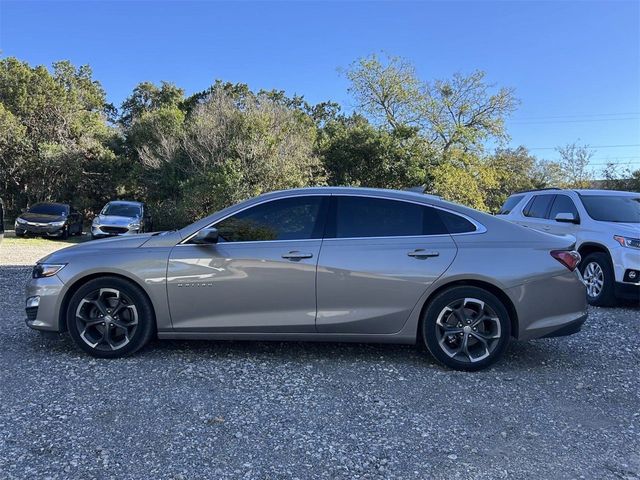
[{"x": 378, "y": 257}]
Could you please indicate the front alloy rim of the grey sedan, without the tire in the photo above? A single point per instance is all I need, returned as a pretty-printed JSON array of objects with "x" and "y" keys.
[{"x": 106, "y": 319}]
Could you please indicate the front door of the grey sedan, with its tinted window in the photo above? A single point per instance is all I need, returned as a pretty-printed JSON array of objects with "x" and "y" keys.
[{"x": 259, "y": 277}]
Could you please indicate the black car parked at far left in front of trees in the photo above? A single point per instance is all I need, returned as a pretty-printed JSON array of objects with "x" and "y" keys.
[{"x": 49, "y": 220}]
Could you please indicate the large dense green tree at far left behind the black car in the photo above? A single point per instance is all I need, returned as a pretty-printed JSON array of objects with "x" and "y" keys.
[{"x": 55, "y": 137}]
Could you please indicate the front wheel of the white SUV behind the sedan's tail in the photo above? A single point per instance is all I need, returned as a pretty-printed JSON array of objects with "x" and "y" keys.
[{"x": 597, "y": 272}]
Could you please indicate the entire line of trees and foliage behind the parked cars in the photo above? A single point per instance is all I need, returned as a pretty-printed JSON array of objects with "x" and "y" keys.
[{"x": 187, "y": 156}]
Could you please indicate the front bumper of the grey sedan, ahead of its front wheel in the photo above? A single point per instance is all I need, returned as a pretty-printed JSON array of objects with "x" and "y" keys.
[{"x": 46, "y": 315}]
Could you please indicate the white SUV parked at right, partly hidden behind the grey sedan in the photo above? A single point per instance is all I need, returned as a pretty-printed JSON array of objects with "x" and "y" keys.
[{"x": 606, "y": 226}]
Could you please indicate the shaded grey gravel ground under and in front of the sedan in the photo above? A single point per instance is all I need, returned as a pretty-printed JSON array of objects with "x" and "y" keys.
[{"x": 557, "y": 408}]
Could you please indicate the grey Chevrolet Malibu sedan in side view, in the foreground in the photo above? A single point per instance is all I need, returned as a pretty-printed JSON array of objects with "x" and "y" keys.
[{"x": 325, "y": 264}]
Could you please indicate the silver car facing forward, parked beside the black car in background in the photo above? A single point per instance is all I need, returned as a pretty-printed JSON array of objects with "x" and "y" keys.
[{"x": 121, "y": 217}]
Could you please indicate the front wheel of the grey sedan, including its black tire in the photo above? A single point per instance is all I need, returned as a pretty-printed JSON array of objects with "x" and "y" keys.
[{"x": 130, "y": 295}]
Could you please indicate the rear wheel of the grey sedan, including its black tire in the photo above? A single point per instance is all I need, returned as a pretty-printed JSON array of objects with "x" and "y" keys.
[{"x": 466, "y": 300}]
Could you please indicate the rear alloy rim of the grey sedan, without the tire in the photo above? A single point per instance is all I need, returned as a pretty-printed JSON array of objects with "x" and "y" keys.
[{"x": 468, "y": 330}]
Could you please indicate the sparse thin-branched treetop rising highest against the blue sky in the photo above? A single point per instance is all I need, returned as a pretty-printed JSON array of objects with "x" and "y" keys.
[{"x": 460, "y": 112}]
